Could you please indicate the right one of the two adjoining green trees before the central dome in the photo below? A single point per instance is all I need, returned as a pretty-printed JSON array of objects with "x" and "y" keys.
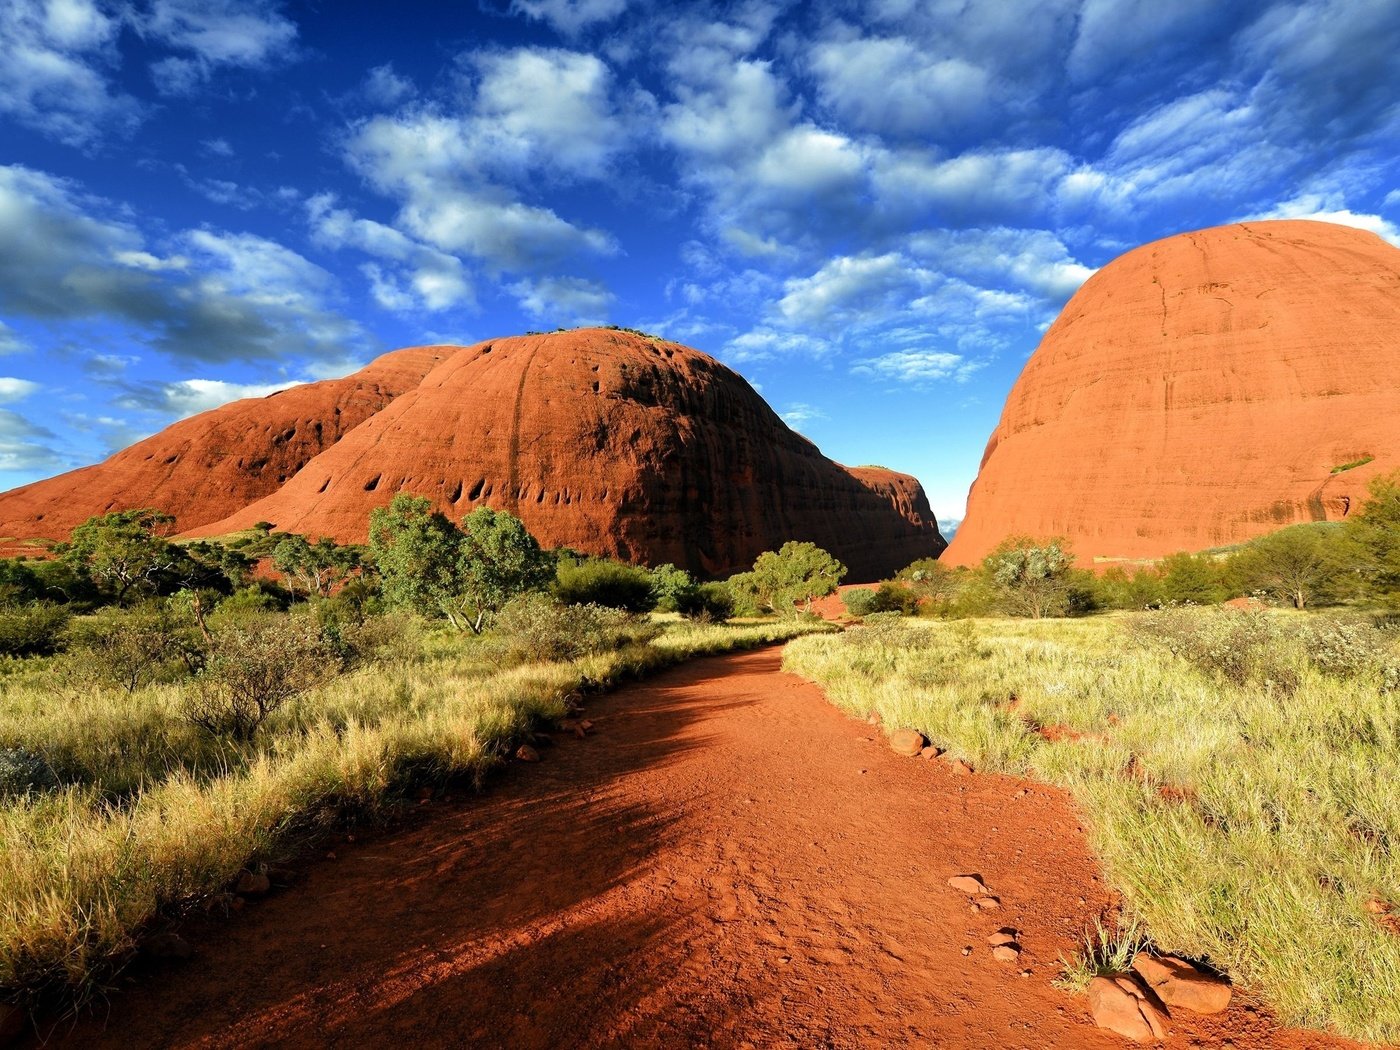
[{"x": 498, "y": 561}]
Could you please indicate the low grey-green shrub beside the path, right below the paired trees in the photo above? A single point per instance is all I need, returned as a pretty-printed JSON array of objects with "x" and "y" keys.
[{"x": 540, "y": 629}]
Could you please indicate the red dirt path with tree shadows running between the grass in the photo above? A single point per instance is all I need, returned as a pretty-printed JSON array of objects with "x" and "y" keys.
[{"x": 727, "y": 862}]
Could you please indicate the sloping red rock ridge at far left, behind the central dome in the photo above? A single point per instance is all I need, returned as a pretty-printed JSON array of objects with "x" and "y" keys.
[{"x": 211, "y": 465}]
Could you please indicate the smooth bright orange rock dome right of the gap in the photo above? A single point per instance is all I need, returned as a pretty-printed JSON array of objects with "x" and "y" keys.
[{"x": 1200, "y": 391}]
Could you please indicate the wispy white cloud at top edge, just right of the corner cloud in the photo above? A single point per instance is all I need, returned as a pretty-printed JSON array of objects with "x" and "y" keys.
[{"x": 212, "y": 36}]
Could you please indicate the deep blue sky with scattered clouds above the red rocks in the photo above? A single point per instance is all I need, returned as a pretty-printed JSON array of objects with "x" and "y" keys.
[{"x": 871, "y": 211}]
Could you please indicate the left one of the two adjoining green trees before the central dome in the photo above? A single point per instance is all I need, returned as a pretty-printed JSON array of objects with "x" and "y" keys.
[{"x": 416, "y": 551}]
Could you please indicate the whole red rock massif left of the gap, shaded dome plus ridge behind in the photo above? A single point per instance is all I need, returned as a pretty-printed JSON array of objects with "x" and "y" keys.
[{"x": 598, "y": 440}]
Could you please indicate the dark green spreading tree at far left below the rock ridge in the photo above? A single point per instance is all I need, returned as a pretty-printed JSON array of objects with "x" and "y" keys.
[{"x": 125, "y": 552}]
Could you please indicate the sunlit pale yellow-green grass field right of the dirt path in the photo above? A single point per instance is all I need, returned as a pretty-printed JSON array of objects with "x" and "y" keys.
[{"x": 1245, "y": 825}]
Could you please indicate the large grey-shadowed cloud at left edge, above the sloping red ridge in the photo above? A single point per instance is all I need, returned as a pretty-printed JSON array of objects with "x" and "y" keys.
[{"x": 205, "y": 295}]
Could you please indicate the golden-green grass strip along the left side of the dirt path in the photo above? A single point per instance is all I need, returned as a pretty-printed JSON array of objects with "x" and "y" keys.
[{"x": 157, "y": 815}]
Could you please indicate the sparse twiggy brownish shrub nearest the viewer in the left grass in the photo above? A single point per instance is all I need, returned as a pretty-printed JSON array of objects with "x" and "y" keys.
[{"x": 254, "y": 668}]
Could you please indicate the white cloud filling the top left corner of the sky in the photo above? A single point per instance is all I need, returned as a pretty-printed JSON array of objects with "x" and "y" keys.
[{"x": 54, "y": 71}]
